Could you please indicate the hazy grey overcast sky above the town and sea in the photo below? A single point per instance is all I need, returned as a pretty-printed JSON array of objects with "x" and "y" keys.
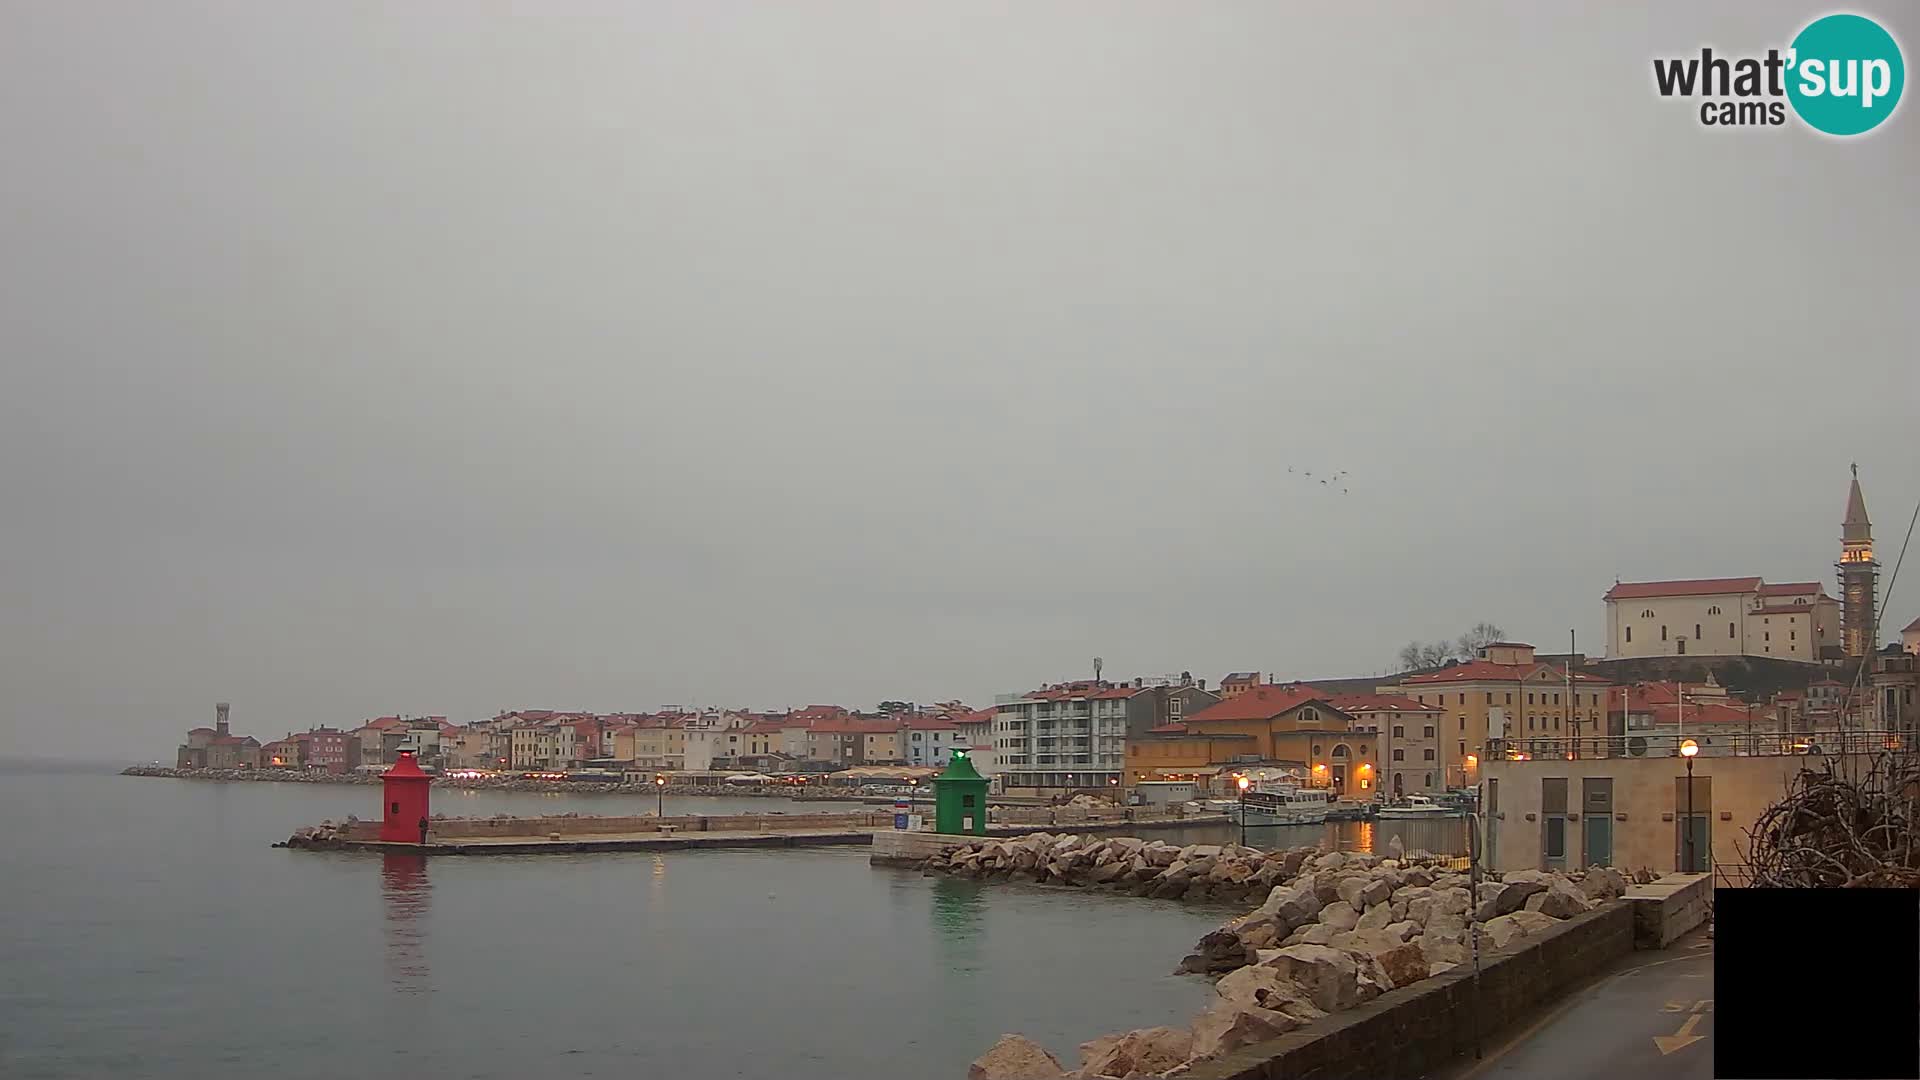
[{"x": 448, "y": 356}]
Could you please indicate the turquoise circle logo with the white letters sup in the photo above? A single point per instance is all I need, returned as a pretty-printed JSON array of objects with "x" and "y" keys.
[{"x": 1846, "y": 74}]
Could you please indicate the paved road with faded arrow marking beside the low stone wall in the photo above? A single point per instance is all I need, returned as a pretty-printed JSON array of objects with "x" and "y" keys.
[{"x": 1650, "y": 1018}]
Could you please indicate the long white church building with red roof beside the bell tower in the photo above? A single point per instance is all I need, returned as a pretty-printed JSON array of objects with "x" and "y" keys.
[{"x": 1721, "y": 618}]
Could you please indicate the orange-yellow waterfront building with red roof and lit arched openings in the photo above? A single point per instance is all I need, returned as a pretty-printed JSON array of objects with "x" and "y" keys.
[{"x": 1262, "y": 725}]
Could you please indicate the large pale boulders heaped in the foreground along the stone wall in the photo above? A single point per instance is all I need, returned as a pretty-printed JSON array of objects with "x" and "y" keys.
[{"x": 1335, "y": 935}]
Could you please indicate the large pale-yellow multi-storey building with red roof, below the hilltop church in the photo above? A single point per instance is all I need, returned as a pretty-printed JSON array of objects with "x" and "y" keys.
[{"x": 1504, "y": 695}]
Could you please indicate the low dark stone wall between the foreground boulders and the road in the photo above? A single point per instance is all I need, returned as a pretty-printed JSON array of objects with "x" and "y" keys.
[{"x": 1416, "y": 1031}]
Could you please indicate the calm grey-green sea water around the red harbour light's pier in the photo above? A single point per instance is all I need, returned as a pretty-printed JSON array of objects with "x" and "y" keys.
[{"x": 149, "y": 929}]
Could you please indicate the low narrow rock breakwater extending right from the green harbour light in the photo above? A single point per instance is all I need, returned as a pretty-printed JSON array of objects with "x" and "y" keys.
[{"x": 1197, "y": 873}]
